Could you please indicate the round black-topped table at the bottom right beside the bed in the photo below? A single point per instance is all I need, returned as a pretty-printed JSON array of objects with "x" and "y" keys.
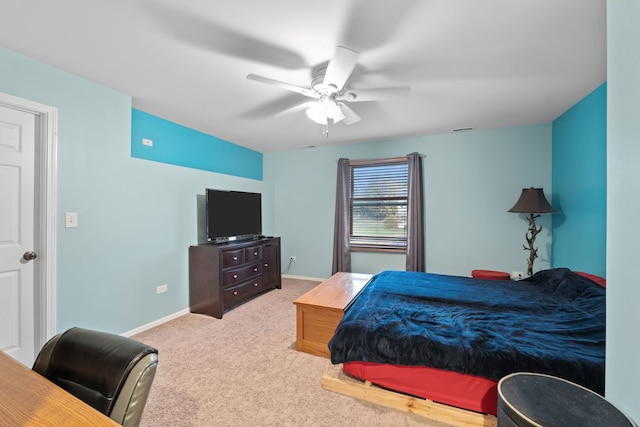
[{"x": 528, "y": 399}]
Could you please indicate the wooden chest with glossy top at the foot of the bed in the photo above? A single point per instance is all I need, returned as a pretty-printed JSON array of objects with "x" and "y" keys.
[{"x": 319, "y": 311}]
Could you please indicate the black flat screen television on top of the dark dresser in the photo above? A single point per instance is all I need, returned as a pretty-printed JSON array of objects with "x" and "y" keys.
[{"x": 232, "y": 215}]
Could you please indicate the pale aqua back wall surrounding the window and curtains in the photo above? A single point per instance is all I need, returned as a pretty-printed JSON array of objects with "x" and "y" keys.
[{"x": 471, "y": 180}]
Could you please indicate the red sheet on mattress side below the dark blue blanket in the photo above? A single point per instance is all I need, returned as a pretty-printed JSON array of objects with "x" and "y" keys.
[{"x": 451, "y": 388}]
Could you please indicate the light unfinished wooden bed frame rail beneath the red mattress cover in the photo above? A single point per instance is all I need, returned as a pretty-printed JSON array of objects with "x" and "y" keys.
[{"x": 333, "y": 379}]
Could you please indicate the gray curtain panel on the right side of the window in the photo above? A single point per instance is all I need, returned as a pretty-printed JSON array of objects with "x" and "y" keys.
[{"x": 415, "y": 215}]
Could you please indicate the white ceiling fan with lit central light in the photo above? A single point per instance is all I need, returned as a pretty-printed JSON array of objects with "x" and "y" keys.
[{"x": 329, "y": 92}]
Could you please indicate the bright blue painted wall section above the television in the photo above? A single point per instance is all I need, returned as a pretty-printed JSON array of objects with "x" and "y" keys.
[{"x": 178, "y": 145}]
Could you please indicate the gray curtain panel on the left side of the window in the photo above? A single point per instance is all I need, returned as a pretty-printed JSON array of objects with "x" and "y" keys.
[{"x": 341, "y": 252}]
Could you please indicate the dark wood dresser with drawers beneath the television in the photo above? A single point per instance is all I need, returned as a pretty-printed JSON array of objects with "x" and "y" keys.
[{"x": 226, "y": 275}]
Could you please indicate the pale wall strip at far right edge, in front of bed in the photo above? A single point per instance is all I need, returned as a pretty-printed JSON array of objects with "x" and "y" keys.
[{"x": 623, "y": 206}]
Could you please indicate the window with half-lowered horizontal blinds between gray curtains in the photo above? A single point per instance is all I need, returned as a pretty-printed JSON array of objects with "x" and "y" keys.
[{"x": 378, "y": 205}]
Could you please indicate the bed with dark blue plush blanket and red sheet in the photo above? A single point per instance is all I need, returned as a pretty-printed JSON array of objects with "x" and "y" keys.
[{"x": 450, "y": 339}]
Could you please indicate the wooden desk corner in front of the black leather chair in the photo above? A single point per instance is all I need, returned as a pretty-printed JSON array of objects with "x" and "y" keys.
[{"x": 28, "y": 399}]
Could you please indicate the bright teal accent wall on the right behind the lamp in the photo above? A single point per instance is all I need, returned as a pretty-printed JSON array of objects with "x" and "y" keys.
[{"x": 579, "y": 182}]
